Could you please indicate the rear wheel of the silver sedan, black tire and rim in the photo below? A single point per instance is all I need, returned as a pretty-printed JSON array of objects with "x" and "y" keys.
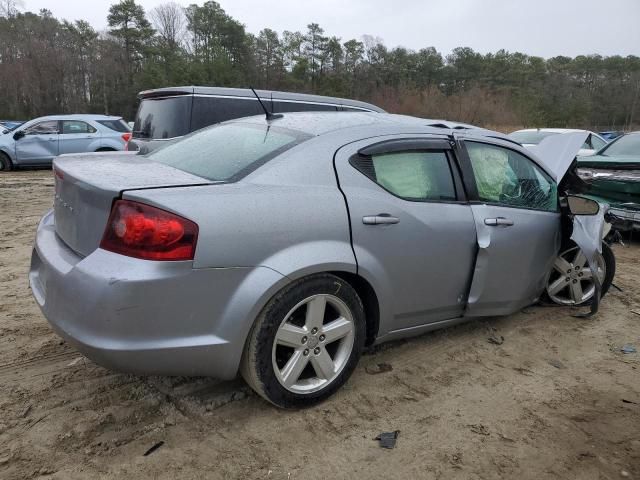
[{"x": 306, "y": 342}]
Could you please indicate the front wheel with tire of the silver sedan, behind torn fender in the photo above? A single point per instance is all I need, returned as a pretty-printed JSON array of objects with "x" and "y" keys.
[{"x": 571, "y": 281}]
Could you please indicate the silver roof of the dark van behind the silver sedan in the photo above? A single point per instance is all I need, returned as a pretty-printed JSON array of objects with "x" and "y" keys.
[{"x": 263, "y": 94}]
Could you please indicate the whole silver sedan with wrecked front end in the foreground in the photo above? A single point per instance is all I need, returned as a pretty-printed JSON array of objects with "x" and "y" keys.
[{"x": 281, "y": 248}]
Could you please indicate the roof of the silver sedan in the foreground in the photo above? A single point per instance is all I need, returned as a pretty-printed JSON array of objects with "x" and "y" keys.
[{"x": 321, "y": 123}]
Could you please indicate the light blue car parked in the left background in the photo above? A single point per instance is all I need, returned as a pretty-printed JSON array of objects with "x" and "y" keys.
[{"x": 37, "y": 142}]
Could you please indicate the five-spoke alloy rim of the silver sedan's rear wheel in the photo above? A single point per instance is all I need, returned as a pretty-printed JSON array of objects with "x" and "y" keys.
[{"x": 313, "y": 344}]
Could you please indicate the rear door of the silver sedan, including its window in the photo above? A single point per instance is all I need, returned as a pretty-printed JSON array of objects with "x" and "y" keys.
[{"x": 412, "y": 231}]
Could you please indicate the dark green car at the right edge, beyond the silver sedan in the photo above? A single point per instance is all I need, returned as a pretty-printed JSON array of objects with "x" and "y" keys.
[{"x": 614, "y": 178}]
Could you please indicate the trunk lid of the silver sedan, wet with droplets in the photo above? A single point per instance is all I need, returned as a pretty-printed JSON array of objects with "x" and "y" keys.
[{"x": 86, "y": 186}]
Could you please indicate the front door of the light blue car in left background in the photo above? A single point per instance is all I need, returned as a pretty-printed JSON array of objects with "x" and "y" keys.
[{"x": 39, "y": 144}]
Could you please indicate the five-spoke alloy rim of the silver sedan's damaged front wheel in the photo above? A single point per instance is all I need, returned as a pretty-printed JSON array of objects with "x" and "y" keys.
[{"x": 571, "y": 282}]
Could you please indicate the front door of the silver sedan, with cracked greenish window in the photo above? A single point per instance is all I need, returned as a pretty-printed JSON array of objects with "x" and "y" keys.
[{"x": 515, "y": 209}]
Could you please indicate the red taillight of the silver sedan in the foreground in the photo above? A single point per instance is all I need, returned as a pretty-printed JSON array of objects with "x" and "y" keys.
[{"x": 142, "y": 231}]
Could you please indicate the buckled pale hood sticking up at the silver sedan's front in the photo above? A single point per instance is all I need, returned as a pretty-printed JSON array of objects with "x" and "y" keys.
[{"x": 557, "y": 152}]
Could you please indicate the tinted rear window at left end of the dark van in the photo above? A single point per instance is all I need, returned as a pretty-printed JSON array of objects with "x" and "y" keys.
[{"x": 163, "y": 117}]
